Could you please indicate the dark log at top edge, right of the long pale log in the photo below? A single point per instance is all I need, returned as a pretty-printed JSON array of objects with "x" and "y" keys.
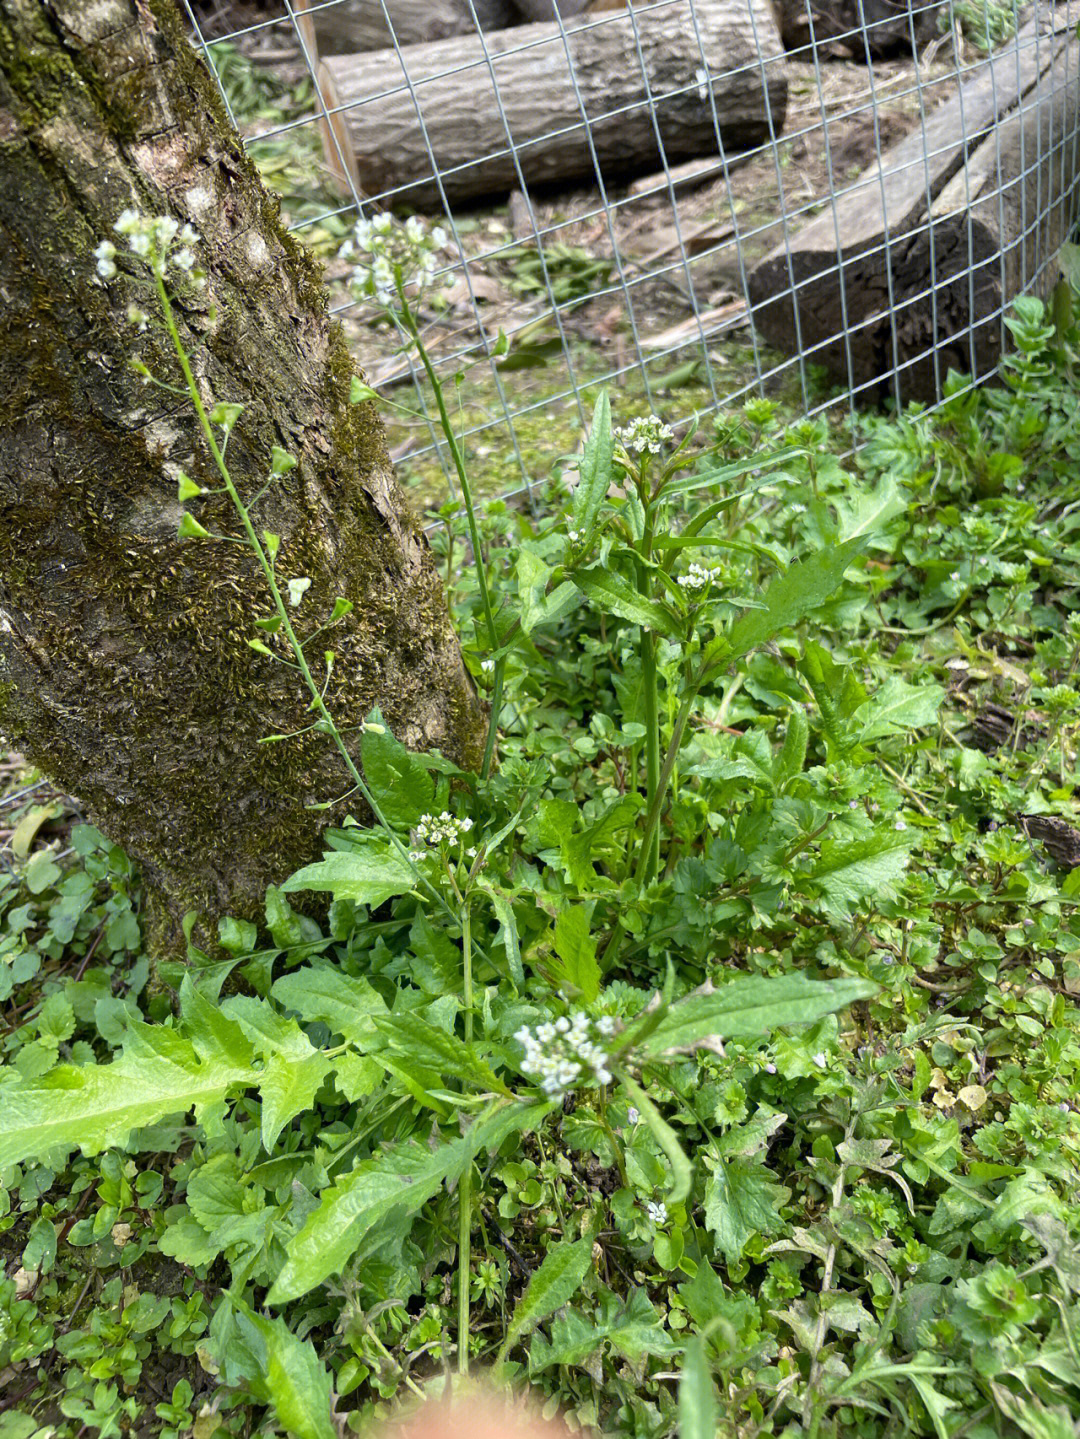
[{"x": 855, "y": 29}]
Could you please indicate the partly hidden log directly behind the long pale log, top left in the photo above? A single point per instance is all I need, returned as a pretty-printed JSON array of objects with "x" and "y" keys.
[{"x": 354, "y": 27}]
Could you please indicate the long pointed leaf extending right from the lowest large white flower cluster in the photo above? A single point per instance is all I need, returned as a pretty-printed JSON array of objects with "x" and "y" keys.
[{"x": 753, "y": 1007}]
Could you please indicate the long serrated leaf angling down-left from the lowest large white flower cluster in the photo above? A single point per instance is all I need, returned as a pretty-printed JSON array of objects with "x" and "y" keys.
[{"x": 402, "y": 1178}]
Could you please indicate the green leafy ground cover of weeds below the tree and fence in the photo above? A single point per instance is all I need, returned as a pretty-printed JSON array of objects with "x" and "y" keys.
[{"x": 818, "y": 1175}]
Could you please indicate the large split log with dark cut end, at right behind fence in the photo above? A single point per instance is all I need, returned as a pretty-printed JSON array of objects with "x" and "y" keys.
[{"x": 941, "y": 234}]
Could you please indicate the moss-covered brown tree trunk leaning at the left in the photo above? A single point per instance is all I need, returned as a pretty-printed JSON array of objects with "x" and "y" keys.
[{"x": 124, "y": 663}]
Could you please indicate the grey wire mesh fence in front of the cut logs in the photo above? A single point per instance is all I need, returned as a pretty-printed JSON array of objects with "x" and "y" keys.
[{"x": 691, "y": 202}]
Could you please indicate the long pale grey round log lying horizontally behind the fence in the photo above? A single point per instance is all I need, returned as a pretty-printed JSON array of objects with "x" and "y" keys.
[{"x": 520, "y": 99}]
